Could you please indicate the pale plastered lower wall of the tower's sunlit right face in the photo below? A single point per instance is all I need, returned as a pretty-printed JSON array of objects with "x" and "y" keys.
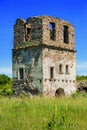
[{"x": 67, "y": 81}]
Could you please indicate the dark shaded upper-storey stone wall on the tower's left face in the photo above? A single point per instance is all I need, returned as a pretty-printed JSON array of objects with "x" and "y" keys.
[{"x": 20, "y": 32}]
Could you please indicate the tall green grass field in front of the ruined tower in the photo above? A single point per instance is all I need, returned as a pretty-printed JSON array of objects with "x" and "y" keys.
[{"x": 41, "y": 113}]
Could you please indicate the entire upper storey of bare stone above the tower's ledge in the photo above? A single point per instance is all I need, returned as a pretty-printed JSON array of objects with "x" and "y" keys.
[{"x": 40, "y": 32}]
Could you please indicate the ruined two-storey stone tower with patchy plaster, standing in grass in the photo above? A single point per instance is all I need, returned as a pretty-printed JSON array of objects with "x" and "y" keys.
[{"x": 43, "y": 56}]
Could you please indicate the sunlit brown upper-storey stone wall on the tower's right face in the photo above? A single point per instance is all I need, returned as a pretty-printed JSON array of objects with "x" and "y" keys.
[{"x": 58, "y": 42}]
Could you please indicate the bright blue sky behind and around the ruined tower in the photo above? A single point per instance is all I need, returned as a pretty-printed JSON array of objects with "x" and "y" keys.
[{"x": 74, "y": 11}]
